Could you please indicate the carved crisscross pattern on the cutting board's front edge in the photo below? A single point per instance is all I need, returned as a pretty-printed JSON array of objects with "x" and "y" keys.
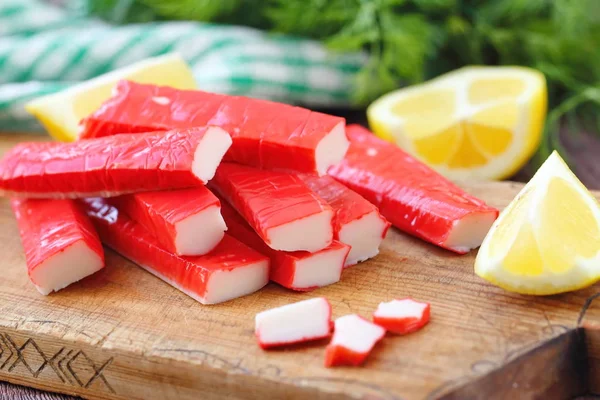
[{"x": 68, "y": 365}]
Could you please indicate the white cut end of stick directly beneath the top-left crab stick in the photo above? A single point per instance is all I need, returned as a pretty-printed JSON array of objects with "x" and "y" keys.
[{"x": 200, "y": 233}]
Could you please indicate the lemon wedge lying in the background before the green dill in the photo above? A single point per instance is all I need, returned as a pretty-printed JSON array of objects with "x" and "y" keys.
[{"x": 475, "y": 122}]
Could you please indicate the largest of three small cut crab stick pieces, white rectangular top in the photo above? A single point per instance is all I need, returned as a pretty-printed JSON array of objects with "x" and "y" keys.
[{"x": 299, "y": 322}]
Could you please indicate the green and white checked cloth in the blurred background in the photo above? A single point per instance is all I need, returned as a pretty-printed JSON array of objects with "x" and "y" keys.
[{"x": 44, "y": 49}]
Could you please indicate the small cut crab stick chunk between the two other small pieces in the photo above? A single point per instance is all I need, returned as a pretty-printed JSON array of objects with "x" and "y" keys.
[{"x": 353, "y": 339}]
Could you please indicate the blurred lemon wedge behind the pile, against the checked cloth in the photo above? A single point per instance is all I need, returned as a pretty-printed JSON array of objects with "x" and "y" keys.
[{"x": 61, "y": 112}]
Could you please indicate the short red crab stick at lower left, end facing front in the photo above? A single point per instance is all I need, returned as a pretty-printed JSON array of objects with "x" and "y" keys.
[{"x": 60, "y": 243}]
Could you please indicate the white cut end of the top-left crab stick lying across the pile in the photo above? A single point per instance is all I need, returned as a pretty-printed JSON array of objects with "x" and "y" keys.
[{"x": 209, "y": 153}]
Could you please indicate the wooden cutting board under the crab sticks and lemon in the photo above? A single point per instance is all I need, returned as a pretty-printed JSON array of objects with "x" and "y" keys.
[{"x": 124, "y": 334}]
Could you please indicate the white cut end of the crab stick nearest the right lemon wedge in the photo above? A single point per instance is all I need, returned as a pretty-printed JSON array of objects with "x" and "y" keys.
[{"x": 468, "y": 233}]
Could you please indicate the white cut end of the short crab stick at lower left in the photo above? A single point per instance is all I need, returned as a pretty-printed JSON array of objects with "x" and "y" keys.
[{"x": 66, "y": 267}]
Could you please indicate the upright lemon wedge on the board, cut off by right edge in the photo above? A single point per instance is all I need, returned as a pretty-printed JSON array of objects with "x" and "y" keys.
[{"x": 547, "y": 240}]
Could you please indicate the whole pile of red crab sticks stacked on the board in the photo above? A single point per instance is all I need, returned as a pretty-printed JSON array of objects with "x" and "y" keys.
[{"x": 218, "y": 195}]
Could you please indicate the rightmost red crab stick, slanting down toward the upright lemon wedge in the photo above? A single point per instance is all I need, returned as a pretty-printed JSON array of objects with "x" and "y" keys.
[{"x": 413, "y": 197}]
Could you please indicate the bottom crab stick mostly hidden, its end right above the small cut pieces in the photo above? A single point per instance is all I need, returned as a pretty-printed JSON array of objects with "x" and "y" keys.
[{"x": 298, "y": 270}]
